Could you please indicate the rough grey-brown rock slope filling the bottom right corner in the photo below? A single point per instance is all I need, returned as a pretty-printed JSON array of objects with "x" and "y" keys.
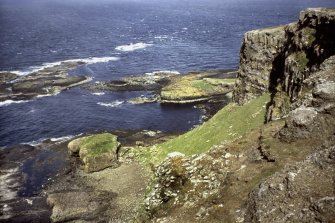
[{"x": 303, "y": 192}]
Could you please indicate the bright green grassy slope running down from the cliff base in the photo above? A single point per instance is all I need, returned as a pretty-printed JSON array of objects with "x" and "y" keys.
[{"x": 228, "y": 124}]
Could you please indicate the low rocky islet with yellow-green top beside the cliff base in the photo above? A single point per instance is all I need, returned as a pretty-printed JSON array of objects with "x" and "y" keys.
[{"x": 173, "y": 88}]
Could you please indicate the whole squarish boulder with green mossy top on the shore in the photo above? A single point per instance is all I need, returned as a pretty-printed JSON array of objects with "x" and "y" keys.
[{"x": 97, "y": 152}]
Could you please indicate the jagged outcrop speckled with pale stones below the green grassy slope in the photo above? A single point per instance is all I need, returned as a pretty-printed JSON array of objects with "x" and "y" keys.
[{"x": 185, "y": 181}]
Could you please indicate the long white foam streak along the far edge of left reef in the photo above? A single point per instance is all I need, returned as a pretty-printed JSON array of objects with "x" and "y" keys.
[{"x": 90, "y": 60}]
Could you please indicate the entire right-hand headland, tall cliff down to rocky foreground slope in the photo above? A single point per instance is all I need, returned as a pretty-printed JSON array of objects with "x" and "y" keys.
[{"x": 282, "y": 170}]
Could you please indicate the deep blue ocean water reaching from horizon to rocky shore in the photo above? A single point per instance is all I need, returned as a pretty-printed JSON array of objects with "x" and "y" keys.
[{"x": 178, "y": 35}]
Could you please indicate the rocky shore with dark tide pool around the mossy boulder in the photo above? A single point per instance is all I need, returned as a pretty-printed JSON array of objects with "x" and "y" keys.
[{"x": 36, "y": 178}]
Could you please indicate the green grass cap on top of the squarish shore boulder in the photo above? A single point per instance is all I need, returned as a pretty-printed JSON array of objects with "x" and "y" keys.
[{"x": 99, "y": 143}]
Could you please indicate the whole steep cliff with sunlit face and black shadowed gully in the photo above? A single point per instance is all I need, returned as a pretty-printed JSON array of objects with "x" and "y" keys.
[{"x": 278, "y": 60}]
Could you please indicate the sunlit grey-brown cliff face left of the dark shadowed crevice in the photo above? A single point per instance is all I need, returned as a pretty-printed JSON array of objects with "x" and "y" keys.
[{"x": 258, "y": 57}]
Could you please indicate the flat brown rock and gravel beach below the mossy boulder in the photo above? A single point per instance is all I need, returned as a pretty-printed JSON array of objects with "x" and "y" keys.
[{"x": 110, "y": 195}]
